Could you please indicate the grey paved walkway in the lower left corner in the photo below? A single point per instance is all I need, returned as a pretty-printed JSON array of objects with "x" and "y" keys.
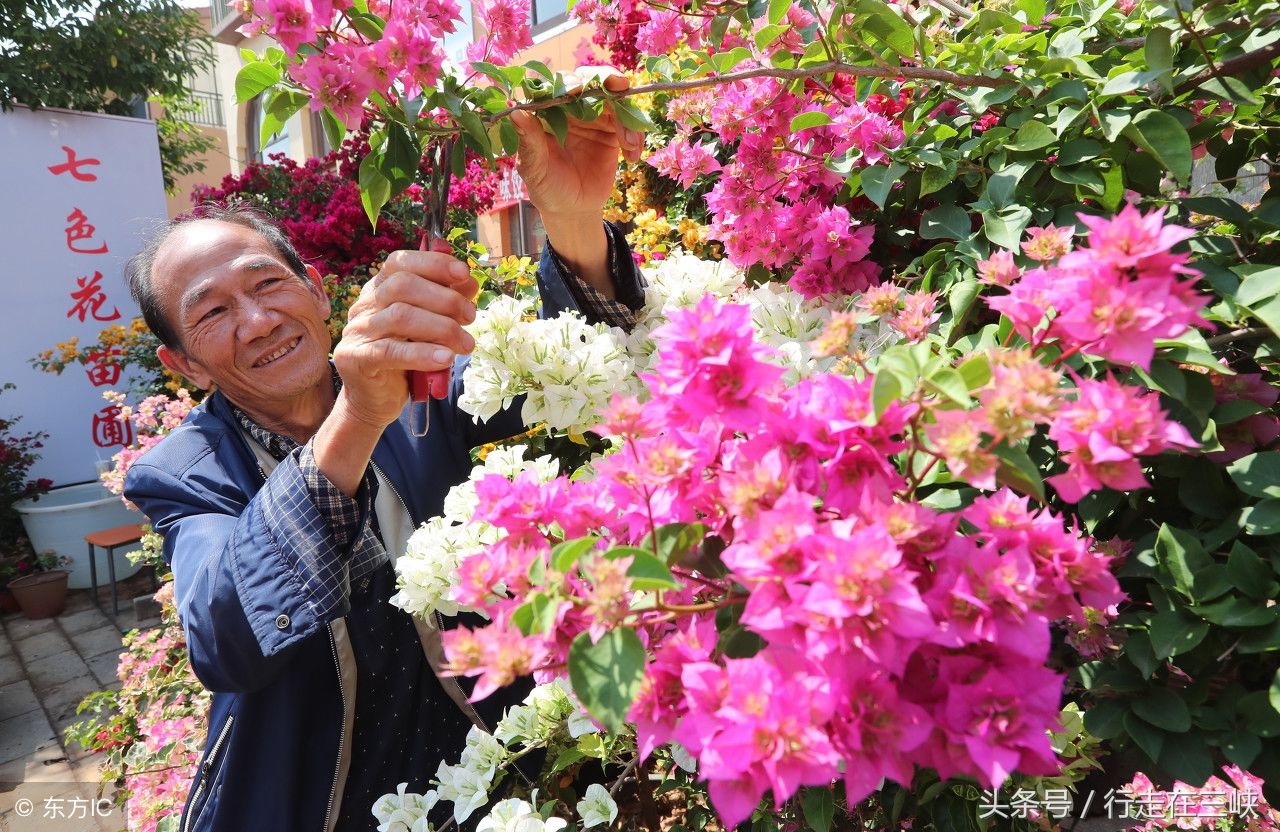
[{"x": 49, "y": 784}]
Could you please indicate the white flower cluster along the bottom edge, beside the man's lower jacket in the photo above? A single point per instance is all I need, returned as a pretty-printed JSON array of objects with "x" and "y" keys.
[{"x": 547, "y": 711}]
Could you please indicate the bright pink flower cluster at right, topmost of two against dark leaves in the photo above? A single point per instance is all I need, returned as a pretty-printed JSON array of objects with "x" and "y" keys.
[{"x": 1114, "y": 298}]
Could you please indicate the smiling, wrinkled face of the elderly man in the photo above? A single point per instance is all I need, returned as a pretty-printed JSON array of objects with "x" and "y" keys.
[{"x": 245, "y": 321}]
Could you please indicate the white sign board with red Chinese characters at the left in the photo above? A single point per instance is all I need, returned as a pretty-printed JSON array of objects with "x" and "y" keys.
[{"x": 79, "y": 194}]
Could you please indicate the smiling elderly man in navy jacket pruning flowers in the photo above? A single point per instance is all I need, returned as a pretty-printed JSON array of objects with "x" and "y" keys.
[{"x": 286, "y": 496}]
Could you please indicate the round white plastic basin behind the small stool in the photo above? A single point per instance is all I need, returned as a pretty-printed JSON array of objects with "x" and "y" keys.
[{"x": 60, "y": 520}]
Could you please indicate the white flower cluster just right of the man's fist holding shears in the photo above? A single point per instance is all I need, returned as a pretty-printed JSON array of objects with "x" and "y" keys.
[{"x": 566, "y": 368}]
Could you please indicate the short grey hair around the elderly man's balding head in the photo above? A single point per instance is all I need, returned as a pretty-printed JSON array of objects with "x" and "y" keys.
[{"x": 138, "y": 272}]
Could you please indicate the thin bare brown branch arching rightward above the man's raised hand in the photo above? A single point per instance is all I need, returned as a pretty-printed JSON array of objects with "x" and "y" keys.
[{"x": 920, "y": 74}]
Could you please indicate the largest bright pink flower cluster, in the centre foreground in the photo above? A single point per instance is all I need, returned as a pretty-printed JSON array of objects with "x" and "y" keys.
[{"x": 892, "y": 639}]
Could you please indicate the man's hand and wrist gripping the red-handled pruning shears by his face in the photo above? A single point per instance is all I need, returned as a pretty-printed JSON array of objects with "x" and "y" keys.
[{"x": 410, "y": 317}]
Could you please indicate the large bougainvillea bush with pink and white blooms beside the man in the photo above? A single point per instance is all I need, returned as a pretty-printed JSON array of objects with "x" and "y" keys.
[{"x": 977, "y": 423}]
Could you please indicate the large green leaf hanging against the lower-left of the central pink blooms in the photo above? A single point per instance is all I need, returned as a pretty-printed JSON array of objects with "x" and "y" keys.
[{"x": 606, "y": 676}]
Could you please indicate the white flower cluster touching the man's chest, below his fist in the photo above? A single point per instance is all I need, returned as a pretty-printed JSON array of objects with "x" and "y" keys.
[{"x": 429, "y": 570}]
